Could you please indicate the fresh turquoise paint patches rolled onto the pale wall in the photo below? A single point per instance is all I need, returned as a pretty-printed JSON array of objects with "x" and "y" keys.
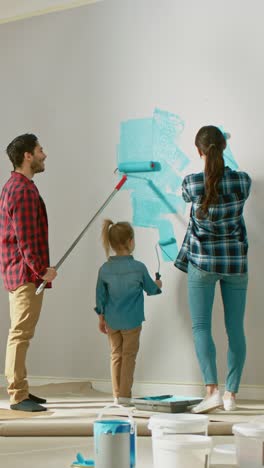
[{"x": 154, "y": 194}]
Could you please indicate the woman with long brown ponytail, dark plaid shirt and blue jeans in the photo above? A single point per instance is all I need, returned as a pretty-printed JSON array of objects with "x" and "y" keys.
[{"x": 215, "y": 249}]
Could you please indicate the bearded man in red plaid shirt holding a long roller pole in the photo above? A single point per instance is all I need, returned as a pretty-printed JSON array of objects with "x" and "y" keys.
[{"x": 24, "y": 262}]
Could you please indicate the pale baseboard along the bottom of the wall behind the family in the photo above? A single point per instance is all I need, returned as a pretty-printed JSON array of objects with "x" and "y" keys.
[{"x": 246, "y": 392}]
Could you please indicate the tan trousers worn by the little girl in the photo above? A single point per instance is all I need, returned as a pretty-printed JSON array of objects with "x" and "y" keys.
[{"x": 124, "y": 348}]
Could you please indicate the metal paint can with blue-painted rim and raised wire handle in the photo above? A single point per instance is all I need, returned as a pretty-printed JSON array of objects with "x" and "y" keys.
[{"x": 114, "y": 442}]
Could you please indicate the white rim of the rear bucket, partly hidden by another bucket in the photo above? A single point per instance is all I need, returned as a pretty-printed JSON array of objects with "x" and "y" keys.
[{"x": 179, "y": 422}]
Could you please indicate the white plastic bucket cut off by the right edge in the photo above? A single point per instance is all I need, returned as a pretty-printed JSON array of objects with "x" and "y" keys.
[{"x": 249, "y": 439}]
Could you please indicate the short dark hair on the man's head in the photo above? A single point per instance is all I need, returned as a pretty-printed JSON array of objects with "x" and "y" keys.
[{"x": 19, "y": 146}]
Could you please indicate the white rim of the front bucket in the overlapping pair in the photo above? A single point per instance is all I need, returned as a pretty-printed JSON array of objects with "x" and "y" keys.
[{"x": 184, "y": 441}]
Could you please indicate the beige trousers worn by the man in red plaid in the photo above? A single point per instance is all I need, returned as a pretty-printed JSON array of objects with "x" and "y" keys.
[{"x": 25, "y": 308}]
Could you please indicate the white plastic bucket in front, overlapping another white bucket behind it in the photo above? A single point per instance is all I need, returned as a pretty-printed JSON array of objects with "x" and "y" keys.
[{"x": 182, "y": 451}]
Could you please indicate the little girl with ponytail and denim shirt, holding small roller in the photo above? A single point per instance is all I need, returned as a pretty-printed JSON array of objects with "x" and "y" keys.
[{"x": 120, "y": 304}]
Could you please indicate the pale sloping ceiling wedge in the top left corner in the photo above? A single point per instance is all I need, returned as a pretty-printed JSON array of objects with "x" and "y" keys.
[{"x": 13, "y": 10}]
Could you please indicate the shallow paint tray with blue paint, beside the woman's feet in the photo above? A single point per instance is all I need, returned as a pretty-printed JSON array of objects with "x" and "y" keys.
[{"x": 165, "y": 403}]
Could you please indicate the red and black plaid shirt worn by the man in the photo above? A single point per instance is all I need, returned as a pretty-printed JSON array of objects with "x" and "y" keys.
[{"x": 24, "y": 249}]
